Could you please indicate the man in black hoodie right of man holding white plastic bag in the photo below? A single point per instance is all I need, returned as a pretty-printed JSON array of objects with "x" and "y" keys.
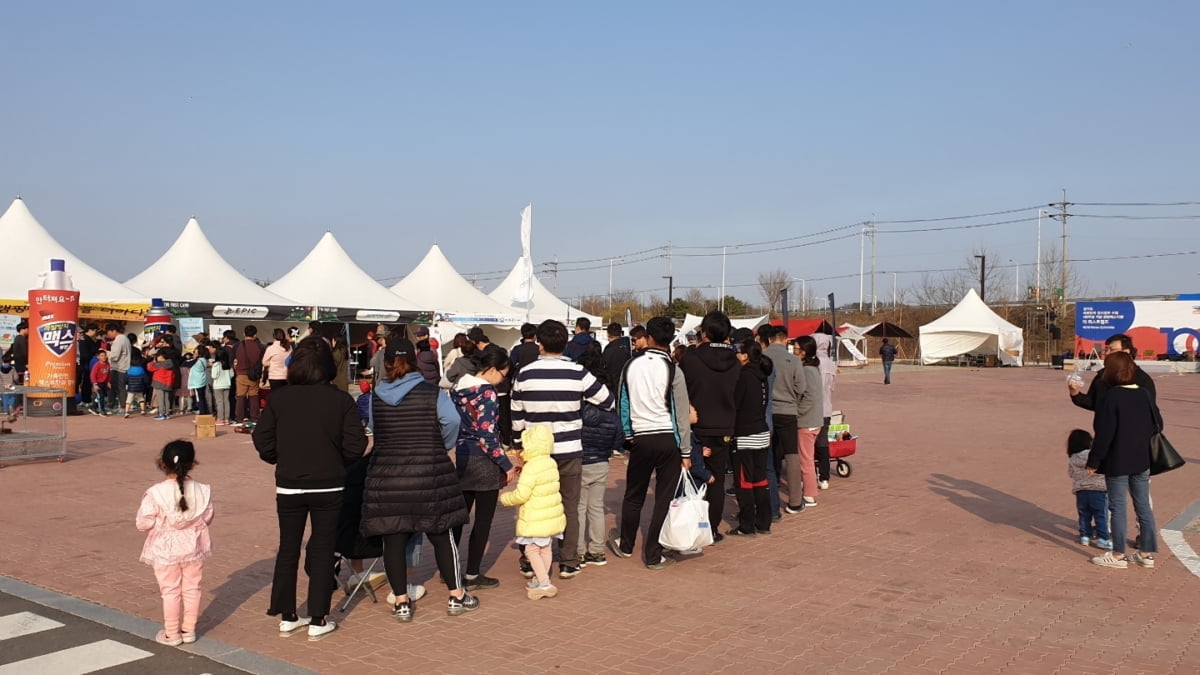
[{"x": 712, "y": 371}]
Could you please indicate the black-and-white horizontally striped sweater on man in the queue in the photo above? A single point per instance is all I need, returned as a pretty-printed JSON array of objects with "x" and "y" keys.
[{"x": 550, "y": 391}]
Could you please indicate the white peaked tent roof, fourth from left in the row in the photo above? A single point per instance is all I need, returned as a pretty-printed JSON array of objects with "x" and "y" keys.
[{"x": 436, "y": 284}]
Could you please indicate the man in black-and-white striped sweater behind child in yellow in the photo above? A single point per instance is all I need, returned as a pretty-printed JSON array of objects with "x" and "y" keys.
[{"x": 550, "y": 391}]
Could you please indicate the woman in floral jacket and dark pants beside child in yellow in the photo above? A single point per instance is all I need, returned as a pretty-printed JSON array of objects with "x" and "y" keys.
[{"x": 481, "y": 459}]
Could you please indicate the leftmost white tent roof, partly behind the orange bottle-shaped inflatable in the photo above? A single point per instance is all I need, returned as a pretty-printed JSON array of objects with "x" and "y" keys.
[{"x": 28, "y": 252}]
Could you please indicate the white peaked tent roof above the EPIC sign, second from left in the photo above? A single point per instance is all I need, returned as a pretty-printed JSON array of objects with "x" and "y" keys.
[{"x": 193, "y": 256}]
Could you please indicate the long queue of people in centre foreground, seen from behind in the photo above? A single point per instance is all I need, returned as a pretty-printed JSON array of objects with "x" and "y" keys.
[{"x": 422, "y": 458}]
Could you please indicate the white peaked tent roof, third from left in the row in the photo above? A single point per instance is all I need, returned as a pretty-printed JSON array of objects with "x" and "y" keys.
[{"x": 328, "y": 278}]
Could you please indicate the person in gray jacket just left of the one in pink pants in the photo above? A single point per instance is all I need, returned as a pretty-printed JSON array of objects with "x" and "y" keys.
[{"x": 785, "y": 398}]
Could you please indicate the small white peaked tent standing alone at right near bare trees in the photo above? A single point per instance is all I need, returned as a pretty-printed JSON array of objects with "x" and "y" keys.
[{"x": 971, "y": 328}]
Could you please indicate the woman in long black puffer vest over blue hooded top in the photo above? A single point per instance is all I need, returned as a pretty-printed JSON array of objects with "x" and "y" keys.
[{"x": 412, "y": 486}]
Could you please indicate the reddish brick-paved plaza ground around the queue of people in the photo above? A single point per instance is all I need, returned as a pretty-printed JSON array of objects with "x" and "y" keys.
[{"x": 952, "y": 548}]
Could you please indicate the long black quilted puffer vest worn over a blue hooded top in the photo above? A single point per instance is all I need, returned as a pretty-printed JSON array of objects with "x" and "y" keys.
[{"x": 412, "y": 486}]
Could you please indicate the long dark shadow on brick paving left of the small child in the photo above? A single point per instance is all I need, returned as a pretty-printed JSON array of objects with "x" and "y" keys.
[{"x": 999, "y": 507}]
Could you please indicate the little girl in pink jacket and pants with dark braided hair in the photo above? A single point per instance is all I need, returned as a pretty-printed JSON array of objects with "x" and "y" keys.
[{"x": 176, "y": 513}]
